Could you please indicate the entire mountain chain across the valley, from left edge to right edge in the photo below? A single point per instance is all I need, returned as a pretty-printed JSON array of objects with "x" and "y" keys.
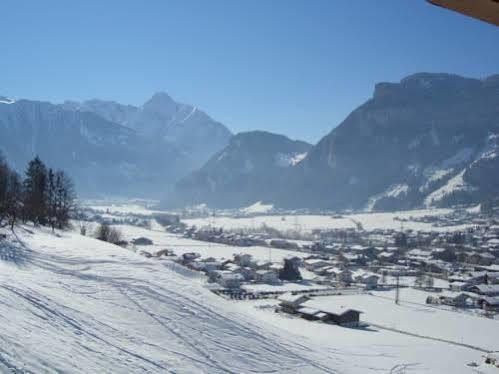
[{"x": 429, "y": 140}]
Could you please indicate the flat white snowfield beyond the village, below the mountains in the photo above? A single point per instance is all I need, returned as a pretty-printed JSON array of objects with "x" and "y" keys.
[{"x": 307, "y": 223}]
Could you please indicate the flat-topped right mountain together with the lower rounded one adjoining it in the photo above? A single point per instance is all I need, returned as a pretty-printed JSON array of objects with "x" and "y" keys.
[{"x": 429, "y": 140}]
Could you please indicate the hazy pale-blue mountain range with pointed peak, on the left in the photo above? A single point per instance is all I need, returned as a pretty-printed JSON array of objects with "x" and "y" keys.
[{"x": 110, "y": 148}]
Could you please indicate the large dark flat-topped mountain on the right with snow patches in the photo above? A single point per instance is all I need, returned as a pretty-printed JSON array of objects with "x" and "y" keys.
[{"x": 428, "y": 140}]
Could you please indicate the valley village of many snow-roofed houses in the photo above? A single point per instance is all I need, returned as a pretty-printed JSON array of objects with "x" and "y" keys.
[{"x": 468, "y": 259}]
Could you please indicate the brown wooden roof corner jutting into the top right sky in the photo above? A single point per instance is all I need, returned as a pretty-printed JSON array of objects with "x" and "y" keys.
[{"x": 485, "y": 10}]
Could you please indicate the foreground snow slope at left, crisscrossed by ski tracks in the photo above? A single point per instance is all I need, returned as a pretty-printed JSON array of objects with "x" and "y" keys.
[{"x": 67, "y": 313}]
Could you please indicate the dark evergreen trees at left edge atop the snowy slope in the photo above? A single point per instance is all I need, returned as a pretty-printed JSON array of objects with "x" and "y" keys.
[{"x": 45, "y": 196}]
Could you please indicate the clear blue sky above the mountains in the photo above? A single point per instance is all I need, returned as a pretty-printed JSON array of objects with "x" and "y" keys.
[{"x": 295, "y": 67}]
